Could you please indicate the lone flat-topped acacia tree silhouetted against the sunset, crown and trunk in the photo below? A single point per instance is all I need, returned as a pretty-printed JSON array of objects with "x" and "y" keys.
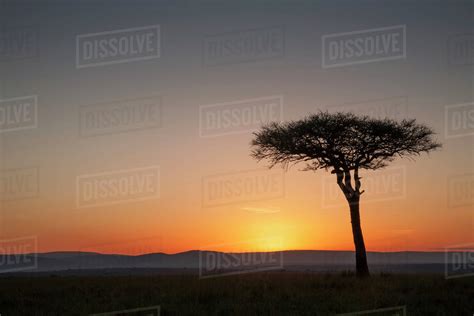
[{"x": 343, "y": 144}]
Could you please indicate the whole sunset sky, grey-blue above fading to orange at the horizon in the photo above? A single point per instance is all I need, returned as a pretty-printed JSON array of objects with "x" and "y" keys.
[{"x": 148, "y": 150}]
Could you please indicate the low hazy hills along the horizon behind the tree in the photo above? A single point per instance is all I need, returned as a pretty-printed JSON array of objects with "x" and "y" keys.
[{"x": 289, "y": 260}]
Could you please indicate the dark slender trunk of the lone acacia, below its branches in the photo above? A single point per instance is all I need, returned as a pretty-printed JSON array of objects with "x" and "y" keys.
[{"x": 362, "y": 269}]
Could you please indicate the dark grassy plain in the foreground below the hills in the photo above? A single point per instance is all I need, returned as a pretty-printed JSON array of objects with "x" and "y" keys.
[{"x": 275, "y": 293}]
